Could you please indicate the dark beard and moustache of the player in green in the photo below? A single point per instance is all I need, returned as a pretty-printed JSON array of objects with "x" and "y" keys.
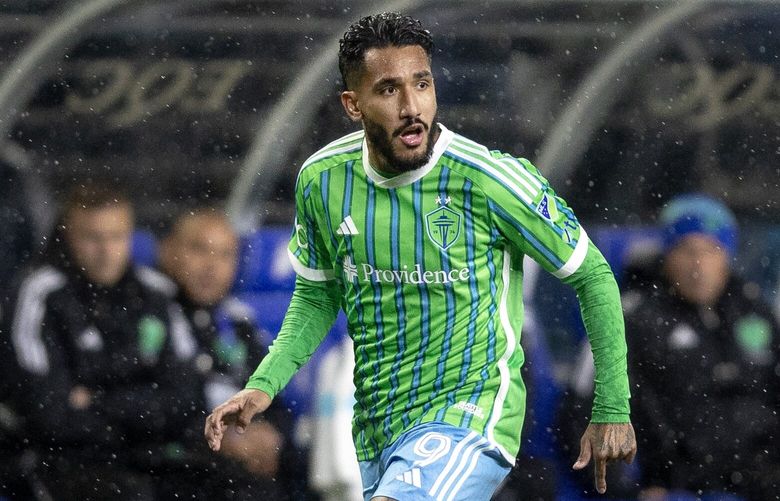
[{"x": 379, "y": 138}]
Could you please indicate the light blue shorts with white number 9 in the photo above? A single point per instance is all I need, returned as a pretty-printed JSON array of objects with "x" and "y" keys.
[{"x": 435, "y": 461}]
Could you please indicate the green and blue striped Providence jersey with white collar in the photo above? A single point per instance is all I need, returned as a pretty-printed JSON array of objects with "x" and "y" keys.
[{"x": 429, "y": 264}]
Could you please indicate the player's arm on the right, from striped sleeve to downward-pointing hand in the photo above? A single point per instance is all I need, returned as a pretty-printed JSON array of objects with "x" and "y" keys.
[{"x": 543, "y": 227}]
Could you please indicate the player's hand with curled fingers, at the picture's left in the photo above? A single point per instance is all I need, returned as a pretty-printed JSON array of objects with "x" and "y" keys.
[{"x": 238, "y": 410}]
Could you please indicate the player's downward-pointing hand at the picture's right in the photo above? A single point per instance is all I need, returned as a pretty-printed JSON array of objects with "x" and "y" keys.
[{"x": 606, "y": 442}]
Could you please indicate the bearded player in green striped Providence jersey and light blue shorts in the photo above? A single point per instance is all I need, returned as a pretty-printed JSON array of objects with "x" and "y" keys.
[{"x": 418, "y": 233}]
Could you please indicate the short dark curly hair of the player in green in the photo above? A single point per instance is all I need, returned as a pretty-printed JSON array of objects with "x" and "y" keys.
[{"x": 379, "y": 30}]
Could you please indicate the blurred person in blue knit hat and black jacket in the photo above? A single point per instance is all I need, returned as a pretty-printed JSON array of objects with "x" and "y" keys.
[{"x": 704, "y": 362}]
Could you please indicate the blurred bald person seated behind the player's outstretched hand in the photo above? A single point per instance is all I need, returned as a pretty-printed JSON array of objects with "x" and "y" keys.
[{"x": 201, "y": 255}]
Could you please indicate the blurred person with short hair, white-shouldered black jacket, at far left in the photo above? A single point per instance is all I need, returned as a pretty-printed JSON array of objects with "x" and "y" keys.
[{"x": 98, "y": 358}]
